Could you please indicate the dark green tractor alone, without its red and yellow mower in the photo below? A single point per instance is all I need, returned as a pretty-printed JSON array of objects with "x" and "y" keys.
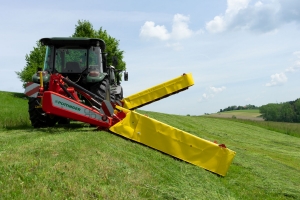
[{"x": 83, "y": 61}]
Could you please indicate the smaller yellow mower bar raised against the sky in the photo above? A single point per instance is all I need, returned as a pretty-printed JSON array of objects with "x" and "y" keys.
[{"x": 158, "y": 92}]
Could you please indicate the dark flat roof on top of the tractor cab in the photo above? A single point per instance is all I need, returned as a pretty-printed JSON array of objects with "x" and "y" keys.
[{"x": 70, "y": 41}]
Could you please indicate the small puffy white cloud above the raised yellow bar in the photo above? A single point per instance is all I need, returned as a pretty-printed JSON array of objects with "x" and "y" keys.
[{"x": 180, "y": 29}]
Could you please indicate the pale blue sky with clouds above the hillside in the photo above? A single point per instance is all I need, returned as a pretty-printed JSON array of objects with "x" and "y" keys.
[{"x": 239, "y": 51}]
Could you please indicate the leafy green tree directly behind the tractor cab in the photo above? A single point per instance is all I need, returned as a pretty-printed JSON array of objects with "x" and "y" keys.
[{"x": 84, "y": 28}]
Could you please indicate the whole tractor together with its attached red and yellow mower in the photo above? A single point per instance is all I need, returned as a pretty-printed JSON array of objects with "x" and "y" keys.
[{"x": 77, "y": 84}]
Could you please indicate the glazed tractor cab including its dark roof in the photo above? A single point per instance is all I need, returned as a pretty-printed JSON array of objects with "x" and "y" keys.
[{"x": 79, "y": 59}]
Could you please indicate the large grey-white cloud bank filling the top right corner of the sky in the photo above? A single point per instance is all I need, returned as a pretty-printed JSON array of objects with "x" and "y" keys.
[{"x": 263, "y": 15}]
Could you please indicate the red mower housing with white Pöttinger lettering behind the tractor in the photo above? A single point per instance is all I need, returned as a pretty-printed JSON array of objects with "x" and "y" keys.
[{"x": 62, "y": 100}]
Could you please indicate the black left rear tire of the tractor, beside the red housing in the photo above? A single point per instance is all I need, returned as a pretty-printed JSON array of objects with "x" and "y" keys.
[{"x": 37, "y": 116}]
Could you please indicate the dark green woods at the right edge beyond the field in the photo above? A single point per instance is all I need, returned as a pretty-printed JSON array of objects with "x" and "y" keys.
[{"x": 281, "y": 112}]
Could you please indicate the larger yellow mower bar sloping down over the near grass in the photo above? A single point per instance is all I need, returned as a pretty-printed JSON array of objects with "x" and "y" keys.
[{"x": 174, "y": 142}]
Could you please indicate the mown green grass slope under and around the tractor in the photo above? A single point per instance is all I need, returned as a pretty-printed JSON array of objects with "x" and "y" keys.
[{"x": 77, "y": 162}]
